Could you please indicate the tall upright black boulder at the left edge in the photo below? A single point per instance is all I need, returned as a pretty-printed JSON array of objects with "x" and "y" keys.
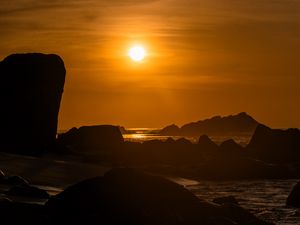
[{"x": 30, "y": 95}]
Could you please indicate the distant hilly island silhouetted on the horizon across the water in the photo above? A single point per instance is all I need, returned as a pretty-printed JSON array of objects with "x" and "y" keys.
[{"x": 237, "y": 124}]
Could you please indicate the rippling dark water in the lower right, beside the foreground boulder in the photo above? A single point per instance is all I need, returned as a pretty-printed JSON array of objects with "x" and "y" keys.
[{"x": 265, "y": 198}]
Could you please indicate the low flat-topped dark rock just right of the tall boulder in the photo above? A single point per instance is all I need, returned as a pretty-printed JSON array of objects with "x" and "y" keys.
[{"x": 92, "y": 138}]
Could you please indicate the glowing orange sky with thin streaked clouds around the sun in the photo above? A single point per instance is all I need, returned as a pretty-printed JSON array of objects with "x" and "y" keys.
[{"x": 205, "y": 57}]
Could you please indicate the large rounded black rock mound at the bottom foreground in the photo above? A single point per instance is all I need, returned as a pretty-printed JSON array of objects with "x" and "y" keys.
[{"x": 127, "y": 196}]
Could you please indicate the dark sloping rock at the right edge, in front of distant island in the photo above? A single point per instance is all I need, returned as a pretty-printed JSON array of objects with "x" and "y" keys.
[{"x": 275, "y": 145}]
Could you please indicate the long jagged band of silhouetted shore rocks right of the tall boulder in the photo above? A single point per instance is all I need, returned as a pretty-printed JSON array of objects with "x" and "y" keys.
[{"x": 265, "y": 156}]
